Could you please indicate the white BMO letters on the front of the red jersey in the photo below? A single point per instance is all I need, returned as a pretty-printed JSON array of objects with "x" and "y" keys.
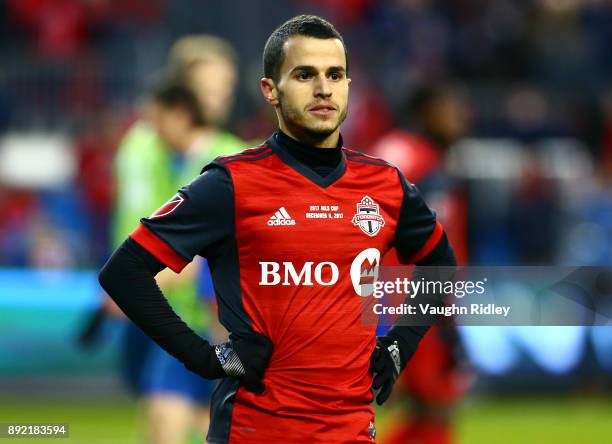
[{"x": 285, "y": 273}]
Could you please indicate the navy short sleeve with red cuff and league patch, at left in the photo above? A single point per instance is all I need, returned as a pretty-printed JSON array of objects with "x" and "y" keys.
[{"x": 192, "y": 222}]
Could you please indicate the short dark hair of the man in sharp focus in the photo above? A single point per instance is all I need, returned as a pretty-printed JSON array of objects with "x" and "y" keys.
[{"x": 306, "y": 25}]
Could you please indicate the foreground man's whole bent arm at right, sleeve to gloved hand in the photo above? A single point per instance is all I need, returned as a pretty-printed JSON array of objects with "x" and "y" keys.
[{"x": 420, "y": 240}]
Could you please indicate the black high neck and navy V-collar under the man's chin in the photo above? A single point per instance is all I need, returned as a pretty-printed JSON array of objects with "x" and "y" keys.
[{"x": 322, "y": 166}]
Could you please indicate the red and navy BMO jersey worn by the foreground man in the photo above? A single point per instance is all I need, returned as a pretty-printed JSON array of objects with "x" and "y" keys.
[{"x": 290, "y": 251}]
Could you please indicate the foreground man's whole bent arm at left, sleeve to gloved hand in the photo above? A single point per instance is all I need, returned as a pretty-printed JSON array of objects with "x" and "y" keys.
[{"x": 195, "y": 221}]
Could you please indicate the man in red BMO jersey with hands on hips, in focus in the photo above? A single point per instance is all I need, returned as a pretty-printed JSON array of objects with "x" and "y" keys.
[{"x": 282, "y": 226}]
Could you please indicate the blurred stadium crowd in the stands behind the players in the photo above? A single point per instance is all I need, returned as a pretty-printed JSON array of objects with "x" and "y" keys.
[{"x": 531, "y": 80}]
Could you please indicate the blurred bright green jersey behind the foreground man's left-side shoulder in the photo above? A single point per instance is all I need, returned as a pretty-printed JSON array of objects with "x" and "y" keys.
[{"x": 146, "y": 172}]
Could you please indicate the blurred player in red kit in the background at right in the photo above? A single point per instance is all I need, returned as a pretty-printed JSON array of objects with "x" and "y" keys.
[{"x": 432, "y": 120}]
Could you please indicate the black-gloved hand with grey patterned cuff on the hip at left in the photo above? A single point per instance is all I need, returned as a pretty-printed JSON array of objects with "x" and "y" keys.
[{"x": 246, "y": 357}]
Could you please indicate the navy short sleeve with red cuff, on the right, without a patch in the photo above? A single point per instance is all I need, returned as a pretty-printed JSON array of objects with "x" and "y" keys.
[{"x": 417, "y": 232}]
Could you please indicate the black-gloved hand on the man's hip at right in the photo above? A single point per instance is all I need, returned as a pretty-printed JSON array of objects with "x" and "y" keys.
[{"x": 385, "y": 366}]
